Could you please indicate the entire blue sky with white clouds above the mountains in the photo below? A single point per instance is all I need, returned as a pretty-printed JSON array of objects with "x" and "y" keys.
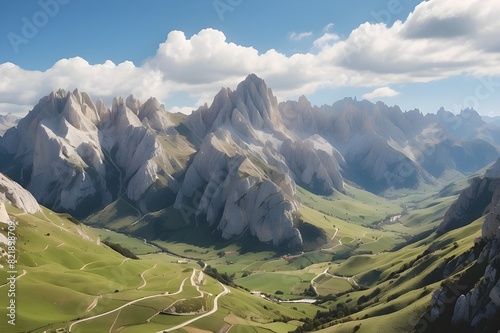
[{"x": 183, "y": 51}]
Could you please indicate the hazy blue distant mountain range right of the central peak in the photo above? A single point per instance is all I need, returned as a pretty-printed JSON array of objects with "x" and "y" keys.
[{"x": 384, "y": 147}]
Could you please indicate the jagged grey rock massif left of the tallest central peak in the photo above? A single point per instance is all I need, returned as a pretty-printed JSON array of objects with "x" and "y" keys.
[{"x": 77, "y": 156}]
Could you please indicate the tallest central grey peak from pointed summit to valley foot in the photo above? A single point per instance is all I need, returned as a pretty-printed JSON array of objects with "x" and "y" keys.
[{"x": 242, "y": 179}]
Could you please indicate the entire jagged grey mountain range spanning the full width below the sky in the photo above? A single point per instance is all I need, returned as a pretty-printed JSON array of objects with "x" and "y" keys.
[{"x": 235, "y": 164}]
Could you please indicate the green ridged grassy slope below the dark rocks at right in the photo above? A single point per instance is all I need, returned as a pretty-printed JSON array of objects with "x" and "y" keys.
[{"x": 405, "y": 295}]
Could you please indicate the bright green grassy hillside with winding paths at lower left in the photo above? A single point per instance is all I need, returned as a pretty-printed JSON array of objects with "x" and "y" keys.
[{"x": 68, "y": 269}]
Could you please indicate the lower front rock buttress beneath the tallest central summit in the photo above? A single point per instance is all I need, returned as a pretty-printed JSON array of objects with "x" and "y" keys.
[{"x": 235, "y": 195}]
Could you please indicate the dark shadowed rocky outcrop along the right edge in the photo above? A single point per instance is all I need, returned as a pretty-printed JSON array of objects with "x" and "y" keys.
[{"x": 472, "y": 303}]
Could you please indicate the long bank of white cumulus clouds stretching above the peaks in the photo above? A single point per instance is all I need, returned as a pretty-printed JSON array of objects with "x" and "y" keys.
[{"x": 431, "y": 44}]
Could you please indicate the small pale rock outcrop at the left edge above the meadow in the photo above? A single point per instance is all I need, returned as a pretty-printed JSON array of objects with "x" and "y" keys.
[{"x": 12, "y": 193}]
